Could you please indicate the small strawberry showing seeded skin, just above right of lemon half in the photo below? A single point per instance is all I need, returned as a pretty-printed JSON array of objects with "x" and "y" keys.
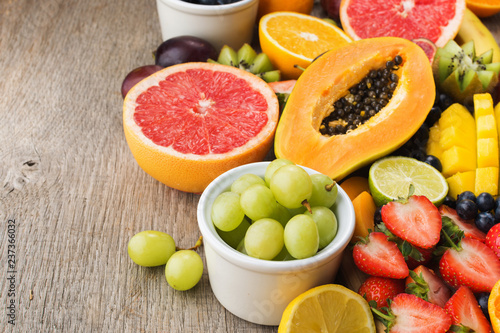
[{"x": 380, "y": 289}]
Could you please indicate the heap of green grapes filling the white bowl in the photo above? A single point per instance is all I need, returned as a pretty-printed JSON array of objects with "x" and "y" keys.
[{"x": 285, "y": 215}]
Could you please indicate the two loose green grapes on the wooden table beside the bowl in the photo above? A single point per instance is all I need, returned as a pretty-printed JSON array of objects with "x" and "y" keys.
[{"x": 150, "y": 248}]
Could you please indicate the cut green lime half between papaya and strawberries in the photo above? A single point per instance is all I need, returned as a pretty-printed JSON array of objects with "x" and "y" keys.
[{"x": 390, "y": 178}]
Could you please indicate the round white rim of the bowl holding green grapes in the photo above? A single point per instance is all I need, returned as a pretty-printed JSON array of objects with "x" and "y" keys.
[{"x": 212, "y": 239}]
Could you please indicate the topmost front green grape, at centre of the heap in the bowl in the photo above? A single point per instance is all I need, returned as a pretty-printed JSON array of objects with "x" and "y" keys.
[{"x": 291, "y": 186}]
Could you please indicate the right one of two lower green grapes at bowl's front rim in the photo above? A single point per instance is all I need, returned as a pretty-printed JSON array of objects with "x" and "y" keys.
[{"x": 301, "y": 236}]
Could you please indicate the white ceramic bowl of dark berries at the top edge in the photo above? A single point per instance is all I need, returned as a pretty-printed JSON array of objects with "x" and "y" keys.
[{"x": 230, "y": 24}]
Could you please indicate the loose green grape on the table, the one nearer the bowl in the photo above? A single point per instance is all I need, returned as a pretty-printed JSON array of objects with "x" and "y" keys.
[{"x": 184, "y": 269}]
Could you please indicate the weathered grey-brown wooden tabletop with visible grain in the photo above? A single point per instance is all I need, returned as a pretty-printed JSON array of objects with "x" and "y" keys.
[{"x": 71, "y": 194}]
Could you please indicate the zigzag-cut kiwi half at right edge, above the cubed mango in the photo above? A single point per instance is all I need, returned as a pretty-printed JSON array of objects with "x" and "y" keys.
[{"x": 460, "y": 72}]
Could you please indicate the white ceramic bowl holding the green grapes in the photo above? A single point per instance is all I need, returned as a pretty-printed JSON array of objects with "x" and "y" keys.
[{"x": 259, "y": 290}]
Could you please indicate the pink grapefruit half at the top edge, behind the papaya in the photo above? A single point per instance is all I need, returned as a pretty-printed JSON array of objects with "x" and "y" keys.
[{"x": 436, "y": 20}]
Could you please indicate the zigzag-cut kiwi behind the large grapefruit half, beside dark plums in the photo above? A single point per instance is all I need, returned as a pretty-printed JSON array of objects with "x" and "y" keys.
[{"x": 248, "y": 59}]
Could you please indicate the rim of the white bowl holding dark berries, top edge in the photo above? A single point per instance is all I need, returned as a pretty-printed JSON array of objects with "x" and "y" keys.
[{"x": 192, "y": 8}]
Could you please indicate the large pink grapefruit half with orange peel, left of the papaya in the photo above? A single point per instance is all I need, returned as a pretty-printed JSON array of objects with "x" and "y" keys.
[{"x": 189, "y": 123}]
